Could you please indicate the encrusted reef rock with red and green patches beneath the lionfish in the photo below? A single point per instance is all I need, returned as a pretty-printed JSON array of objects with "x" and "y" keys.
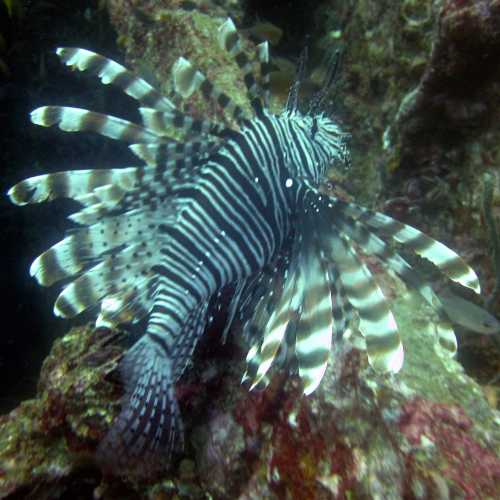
[{"x": 425, "y": 433}]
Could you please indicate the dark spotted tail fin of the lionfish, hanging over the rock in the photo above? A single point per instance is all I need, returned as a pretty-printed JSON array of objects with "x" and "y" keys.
[{"x": 149, "y": 428}]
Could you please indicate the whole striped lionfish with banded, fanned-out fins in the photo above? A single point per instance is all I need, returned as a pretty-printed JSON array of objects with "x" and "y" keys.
[{"x": 228, "y": 206}]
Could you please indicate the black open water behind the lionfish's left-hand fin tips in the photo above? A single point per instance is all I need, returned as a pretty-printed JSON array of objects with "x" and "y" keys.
[{"x": 35, "y": 77}]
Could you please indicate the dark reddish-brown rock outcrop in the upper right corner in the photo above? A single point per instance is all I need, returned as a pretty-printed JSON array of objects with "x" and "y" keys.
[{"x": 458, "y": 93}]
